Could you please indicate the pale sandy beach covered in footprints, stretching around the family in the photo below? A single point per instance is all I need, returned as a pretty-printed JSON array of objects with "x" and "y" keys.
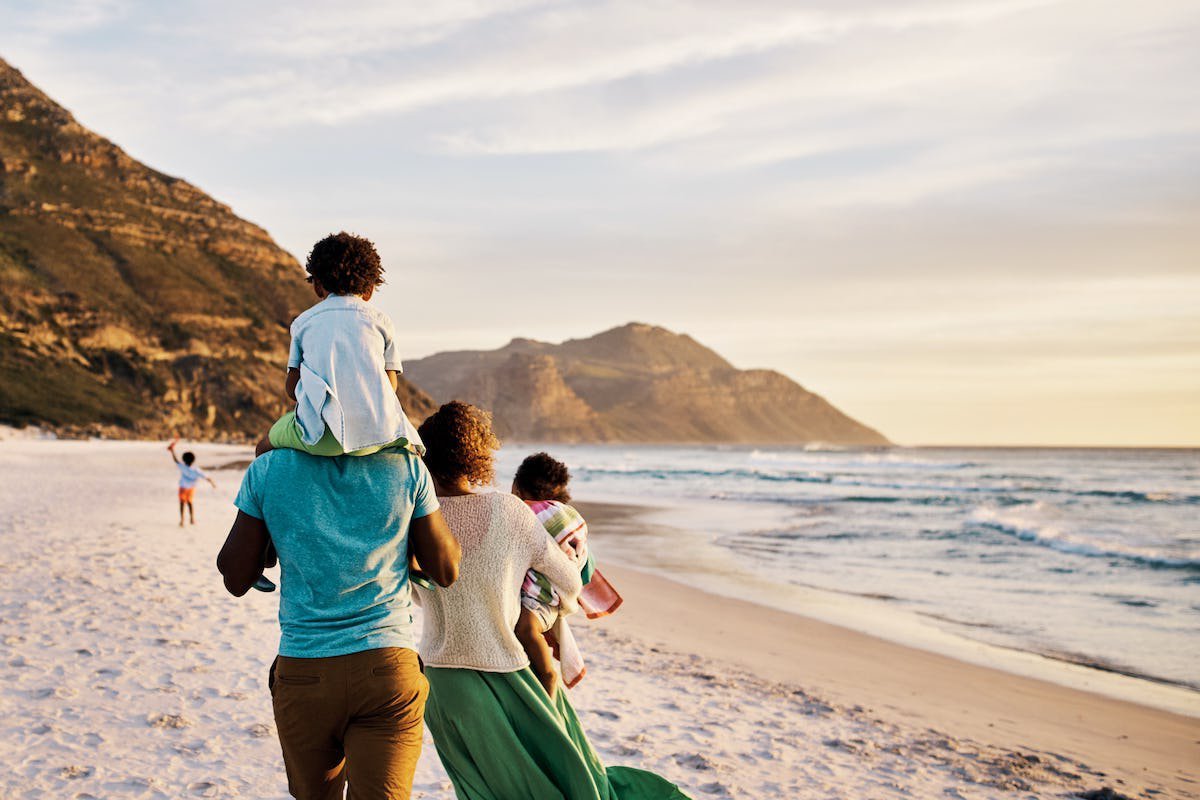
[{"x": 130, "y": 673}]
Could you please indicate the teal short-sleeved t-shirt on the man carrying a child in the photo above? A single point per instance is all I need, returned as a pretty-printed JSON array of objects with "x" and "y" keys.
[{"x": 341, "y": 530}]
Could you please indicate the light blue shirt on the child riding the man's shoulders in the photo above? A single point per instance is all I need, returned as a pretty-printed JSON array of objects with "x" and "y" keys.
[{"x": 344, "y": 348}]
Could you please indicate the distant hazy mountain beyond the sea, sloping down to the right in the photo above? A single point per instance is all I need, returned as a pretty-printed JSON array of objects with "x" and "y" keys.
[{"x": 634, "y": 383}]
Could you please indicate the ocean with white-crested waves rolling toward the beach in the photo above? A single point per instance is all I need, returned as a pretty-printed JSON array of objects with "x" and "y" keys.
[{"x": 1085, "y": 557}]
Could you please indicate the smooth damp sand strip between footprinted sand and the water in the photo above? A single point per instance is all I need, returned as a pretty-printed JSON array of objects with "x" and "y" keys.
[{"x": 1133, "y": 743}]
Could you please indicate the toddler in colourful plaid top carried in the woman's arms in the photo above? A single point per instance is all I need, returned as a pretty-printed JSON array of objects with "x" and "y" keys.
[{"x": 542, "y": 482}]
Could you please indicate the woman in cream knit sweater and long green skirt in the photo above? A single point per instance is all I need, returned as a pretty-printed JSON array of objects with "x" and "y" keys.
[{"x": 500, "y": 733}]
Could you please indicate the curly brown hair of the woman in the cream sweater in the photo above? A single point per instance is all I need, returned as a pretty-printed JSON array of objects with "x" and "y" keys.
[{"x": 459, "y": 443}]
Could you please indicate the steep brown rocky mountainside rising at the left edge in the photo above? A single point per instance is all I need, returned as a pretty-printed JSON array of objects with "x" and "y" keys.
[{"x": 135, "y": 304}]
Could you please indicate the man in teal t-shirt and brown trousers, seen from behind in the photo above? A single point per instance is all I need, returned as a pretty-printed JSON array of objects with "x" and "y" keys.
[{"x": 347, "y": 687}]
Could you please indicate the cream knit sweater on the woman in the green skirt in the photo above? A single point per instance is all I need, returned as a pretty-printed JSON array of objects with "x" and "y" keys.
[{"x": 470, "y": 624}]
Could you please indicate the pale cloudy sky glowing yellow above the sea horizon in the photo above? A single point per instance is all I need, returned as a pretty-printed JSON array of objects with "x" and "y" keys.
[{"x": 962, "y": 222}]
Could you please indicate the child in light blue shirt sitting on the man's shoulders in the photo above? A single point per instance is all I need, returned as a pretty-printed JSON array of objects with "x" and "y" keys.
[{"x": 344, "y": 362}]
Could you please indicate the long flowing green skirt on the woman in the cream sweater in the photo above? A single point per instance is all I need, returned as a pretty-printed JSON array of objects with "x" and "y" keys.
[{"x": 502, "y": 738}]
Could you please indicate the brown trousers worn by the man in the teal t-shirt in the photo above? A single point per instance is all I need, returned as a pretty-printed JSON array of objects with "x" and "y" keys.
[{"x": 356, "y": 719}]
